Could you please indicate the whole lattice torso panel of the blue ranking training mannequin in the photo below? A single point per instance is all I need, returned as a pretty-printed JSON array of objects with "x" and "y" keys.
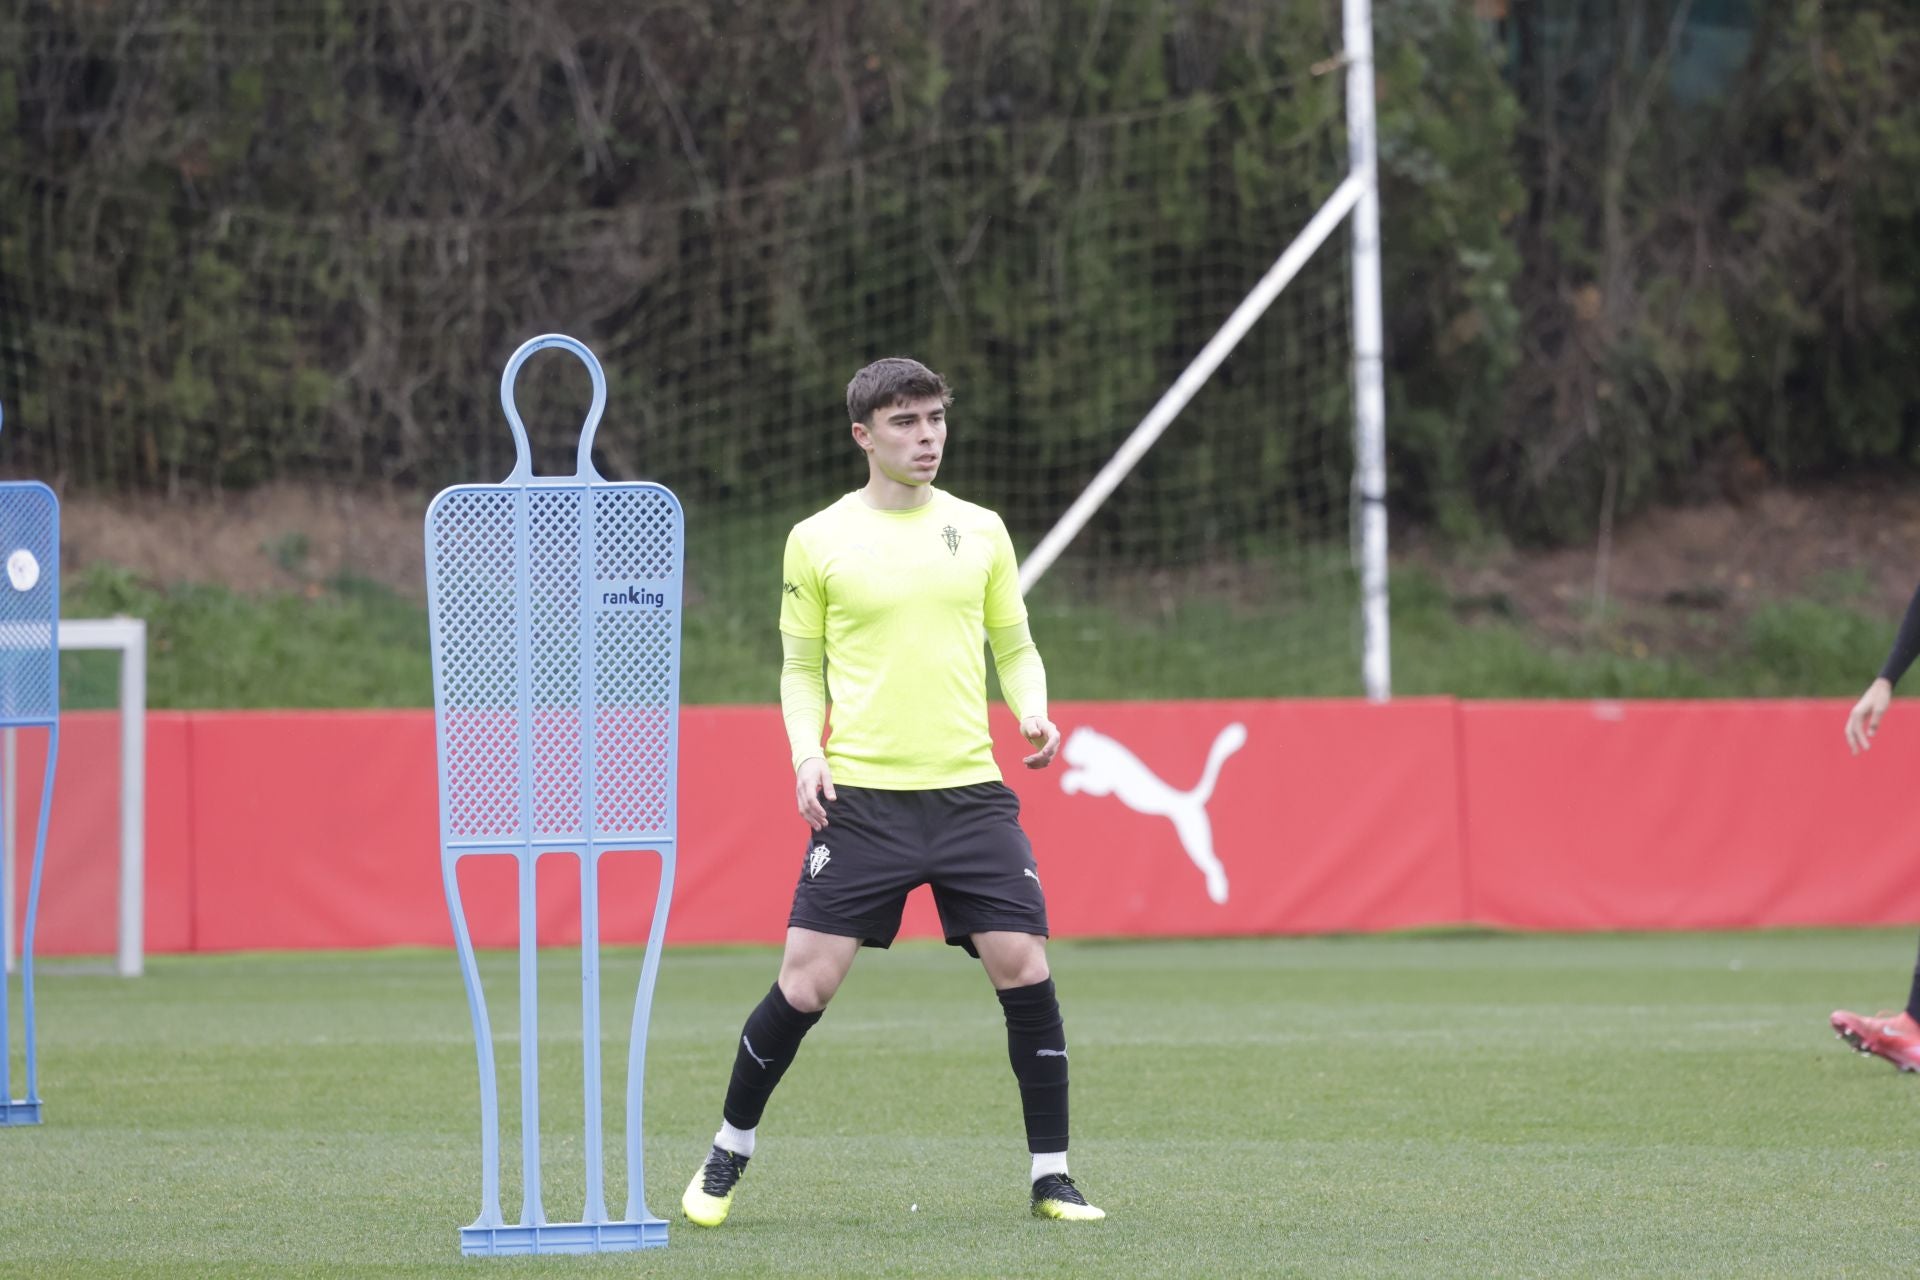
[{"x": 475, "y": 604}]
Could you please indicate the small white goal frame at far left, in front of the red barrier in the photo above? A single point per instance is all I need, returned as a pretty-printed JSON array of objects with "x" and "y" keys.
[{"x": 130, "y": 638}]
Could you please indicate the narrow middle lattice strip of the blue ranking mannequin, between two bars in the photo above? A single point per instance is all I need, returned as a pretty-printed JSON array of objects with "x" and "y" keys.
[{"x": 554, "y": 579}]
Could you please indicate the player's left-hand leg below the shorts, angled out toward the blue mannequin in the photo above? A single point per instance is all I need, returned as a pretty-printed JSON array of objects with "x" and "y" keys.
[{"x": 811, "y": 970}]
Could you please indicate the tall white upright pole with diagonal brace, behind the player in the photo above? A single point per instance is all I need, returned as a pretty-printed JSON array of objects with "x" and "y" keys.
[{"x": 1360, "y": 199}]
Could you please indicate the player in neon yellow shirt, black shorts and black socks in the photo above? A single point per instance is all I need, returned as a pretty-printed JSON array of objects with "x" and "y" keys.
[{"x": 890, "y": 588}]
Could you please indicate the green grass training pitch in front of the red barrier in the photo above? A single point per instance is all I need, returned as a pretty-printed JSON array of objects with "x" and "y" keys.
[{"x": 1404, "y": 1106}]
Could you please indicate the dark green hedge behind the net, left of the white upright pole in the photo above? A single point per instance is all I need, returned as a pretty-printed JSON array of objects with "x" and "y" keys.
[{"x": 310, "y": 256}]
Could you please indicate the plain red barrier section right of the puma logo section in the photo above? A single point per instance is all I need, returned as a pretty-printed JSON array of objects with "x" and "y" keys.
[{"x": 1687, "y": 817}]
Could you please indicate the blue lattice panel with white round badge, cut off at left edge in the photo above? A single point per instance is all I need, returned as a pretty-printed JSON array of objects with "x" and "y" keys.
[{"x": 30, "y": 665}]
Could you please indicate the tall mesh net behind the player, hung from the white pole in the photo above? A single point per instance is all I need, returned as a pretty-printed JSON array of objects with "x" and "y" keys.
[{"x": 203, "y": 320}]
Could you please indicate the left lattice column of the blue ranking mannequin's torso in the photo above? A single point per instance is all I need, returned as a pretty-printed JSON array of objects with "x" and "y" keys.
[{"x": 475, "y": 659}]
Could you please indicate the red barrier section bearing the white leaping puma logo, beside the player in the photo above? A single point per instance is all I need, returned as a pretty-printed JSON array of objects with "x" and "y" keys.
[{"x": 1328, "y": 817}]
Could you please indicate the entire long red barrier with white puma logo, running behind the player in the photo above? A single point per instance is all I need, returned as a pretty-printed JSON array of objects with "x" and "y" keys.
[{"x": 318, "y": 830}]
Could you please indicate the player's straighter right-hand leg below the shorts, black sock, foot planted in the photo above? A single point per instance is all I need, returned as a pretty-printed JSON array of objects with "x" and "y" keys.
[{"x": 1038, "y": 1049}]
